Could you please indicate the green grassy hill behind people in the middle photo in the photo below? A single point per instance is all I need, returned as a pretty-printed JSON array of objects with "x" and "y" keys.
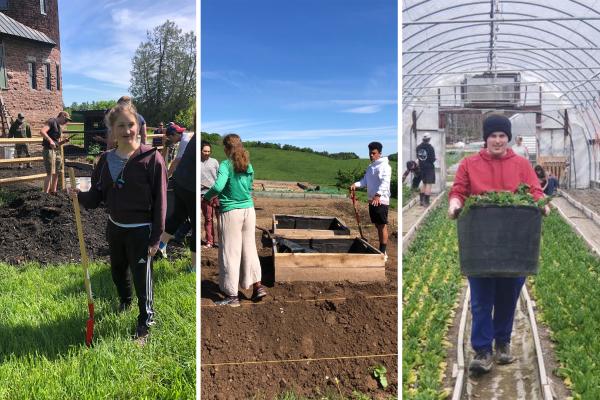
[{"x": 296, "y": 166}]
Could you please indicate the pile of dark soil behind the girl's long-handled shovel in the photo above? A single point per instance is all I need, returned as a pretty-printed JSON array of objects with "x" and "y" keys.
[{"x": 40, "y": 227}]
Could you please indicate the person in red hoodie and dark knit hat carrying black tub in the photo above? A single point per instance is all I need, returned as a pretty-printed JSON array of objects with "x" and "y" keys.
[{"x": 493, "y": 300}]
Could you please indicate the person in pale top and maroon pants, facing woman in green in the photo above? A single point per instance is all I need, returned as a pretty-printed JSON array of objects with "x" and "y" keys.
[{"x": 209, "y": 169}]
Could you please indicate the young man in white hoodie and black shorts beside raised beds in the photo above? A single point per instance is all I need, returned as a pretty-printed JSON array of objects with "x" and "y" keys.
[{"x": 377, "y": 179}]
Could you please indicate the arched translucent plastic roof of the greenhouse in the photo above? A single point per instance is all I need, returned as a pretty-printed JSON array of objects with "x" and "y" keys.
[{"x": 555, "y": 44}]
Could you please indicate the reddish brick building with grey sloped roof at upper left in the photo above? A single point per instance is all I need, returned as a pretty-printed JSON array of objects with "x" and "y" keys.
[{"x": 30, "y": 68}]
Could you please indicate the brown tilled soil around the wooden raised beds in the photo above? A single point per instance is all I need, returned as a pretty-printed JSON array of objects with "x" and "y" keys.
[{"x": 305, "y": 336}]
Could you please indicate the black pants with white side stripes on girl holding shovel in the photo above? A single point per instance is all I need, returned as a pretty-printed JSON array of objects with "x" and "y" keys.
[{"x": 129, "y": 254}]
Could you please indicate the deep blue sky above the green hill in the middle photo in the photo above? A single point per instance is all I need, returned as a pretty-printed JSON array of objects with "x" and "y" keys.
[{"x": 311, "y": 73}]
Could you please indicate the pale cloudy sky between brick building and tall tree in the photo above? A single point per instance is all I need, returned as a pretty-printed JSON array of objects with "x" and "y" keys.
[{"x": 98, "y": 40}]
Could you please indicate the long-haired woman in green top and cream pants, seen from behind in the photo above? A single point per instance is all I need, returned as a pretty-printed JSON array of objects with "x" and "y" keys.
[{"x": 238, "y": 258}]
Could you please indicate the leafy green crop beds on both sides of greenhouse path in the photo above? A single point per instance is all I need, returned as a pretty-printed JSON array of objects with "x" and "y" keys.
[{"x": 567, "y": 292}]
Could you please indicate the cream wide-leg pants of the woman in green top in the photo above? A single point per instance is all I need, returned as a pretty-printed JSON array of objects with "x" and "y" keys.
[{"x": 238, "y": 257}]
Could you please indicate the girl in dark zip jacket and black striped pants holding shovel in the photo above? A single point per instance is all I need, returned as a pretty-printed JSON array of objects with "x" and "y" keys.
[{"x": 131, "y": 181}]
